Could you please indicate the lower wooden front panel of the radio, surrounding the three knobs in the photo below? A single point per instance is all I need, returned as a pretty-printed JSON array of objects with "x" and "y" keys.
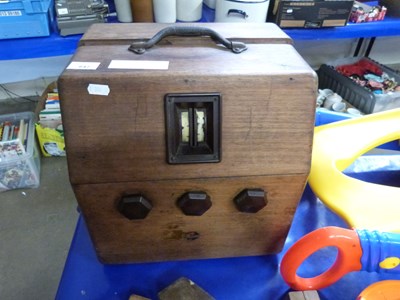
[{"x": 166, "y": 233}]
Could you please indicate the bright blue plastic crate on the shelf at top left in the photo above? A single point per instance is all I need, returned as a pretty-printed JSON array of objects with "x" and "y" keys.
[{"x": 26, "y": 18}]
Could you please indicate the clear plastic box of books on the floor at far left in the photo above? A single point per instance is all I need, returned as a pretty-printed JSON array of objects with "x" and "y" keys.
[{"x": 19, "y": 156}]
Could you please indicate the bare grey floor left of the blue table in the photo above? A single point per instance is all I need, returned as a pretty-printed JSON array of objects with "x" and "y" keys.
[{"x": 36, "y": 228}]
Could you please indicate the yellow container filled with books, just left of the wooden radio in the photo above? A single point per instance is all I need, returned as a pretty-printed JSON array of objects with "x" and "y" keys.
[{"x": 49, "y": 128}]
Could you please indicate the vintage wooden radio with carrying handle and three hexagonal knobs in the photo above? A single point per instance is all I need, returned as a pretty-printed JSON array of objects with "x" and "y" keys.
[{"x": 194, "y": 144}]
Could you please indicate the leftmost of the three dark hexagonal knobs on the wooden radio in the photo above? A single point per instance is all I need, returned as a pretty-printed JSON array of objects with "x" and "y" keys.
[{"x": 134, "y": 206}]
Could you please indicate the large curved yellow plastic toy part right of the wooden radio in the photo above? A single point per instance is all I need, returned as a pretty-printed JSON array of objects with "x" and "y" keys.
[{"x": 336, "y": 146}]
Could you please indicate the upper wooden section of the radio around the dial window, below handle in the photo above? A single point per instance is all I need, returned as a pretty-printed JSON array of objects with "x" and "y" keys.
[{"x": 268, "y": 96}]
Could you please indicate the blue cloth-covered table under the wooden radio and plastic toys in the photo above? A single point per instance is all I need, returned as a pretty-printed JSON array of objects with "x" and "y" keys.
[{"x": 253, "y": 278}]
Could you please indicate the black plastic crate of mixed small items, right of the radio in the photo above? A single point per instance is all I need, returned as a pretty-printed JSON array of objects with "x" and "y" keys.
[{"x": 366, "y": 84}]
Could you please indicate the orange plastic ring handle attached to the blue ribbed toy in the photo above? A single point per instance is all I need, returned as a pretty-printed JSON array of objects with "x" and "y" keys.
[{"x": 348, "y": 258}]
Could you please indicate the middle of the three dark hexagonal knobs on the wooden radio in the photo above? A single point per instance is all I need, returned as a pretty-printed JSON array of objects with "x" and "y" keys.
[{"x": 194, "y": 203}]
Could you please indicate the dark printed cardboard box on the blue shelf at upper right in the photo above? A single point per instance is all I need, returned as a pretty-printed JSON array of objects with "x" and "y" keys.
[{"x": 312, "y": 13}]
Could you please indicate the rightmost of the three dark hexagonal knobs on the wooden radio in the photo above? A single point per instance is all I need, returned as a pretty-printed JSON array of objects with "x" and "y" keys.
[{"x": 250, "y": 200}]
